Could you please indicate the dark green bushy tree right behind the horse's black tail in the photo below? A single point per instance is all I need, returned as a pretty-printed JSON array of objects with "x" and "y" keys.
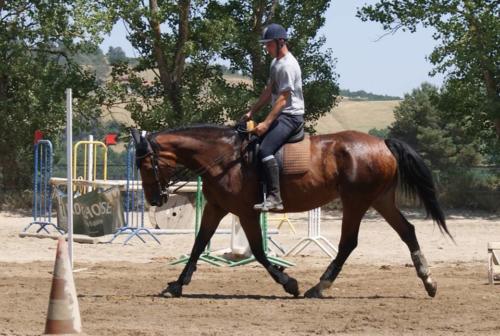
[{"x": 451, "y": 150}]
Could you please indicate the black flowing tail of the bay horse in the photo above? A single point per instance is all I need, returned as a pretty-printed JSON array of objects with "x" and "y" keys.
[{"x": 415, "y": 178}]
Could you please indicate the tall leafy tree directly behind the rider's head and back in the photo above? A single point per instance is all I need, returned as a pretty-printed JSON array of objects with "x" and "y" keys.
[{"x": 246, "y": 55}]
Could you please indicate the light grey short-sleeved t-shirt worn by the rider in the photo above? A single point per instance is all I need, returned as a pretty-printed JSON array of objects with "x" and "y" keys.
[{"x": 285, "y": 75}]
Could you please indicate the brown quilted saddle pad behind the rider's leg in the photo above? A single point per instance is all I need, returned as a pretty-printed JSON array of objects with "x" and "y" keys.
[{"x": 296, "y": 157}]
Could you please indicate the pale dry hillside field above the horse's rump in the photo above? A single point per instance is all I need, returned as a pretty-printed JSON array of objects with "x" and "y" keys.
[{"x": 357, "y": 115}]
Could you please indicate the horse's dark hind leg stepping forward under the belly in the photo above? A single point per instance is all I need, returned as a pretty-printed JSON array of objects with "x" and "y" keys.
[{"x": 353, "y": 212}]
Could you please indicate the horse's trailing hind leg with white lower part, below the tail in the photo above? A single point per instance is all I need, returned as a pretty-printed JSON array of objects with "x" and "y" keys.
[{"x": 385, "y": 205}]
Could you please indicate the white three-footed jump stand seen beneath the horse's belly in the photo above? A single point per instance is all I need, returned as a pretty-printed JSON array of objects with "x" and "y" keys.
[{"x": 314, "y": 236}]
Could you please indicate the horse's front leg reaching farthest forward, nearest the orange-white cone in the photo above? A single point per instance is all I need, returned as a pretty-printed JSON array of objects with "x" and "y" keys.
[{"x": 212, "y": 215}]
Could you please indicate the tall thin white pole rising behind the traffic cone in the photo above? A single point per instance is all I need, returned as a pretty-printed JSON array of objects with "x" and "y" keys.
[{"x": 69, "y": 172}]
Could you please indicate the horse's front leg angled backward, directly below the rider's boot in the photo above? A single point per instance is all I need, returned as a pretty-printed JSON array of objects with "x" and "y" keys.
[{"x": 251, "y": 226}]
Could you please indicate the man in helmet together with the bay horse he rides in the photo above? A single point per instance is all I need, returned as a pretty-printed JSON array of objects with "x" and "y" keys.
[{"x": 361, "y": 170}]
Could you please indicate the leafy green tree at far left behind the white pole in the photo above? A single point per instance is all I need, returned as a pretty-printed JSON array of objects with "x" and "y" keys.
[{"x": 37, "y": 39}]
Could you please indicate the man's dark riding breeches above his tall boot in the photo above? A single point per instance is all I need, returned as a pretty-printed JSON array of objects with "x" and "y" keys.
[{"x": 281, "y": 129}]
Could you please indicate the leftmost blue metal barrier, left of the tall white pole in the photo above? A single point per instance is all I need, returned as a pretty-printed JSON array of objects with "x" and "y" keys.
[{"x": 42, "y": 190}]
